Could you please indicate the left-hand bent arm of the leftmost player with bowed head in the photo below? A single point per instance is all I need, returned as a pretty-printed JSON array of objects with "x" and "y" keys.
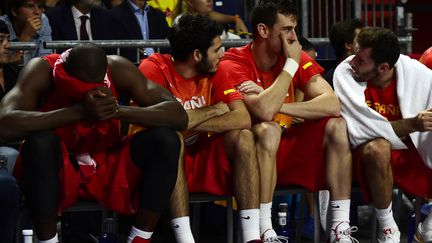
[{"x": 18, "y": 115}]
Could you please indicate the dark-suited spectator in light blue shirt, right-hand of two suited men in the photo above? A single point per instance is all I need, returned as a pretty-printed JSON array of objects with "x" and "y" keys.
[{"x": 138, "y": 21}]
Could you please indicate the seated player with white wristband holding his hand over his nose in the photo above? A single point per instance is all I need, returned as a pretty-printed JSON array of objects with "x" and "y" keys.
[{"x": 265, "y": 71}]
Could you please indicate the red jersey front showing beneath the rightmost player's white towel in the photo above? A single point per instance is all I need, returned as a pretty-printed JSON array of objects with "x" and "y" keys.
[{"x": 384, "y": 101}]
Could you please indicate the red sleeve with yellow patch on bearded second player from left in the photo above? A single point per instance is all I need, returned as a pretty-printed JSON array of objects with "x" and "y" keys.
[{"x": 223, "y": 89}]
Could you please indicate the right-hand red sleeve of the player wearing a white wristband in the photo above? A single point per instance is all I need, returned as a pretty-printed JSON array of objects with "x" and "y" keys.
[{"x": 308, "y": 68}]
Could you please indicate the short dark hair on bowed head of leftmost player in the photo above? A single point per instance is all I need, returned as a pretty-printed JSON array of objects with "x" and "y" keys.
[{"x": 87, "y": 62}]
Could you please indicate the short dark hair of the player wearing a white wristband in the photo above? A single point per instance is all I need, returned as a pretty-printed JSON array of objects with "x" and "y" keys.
[{"x": 266, "y": 12}]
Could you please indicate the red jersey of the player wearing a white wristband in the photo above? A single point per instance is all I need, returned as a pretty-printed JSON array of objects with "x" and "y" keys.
[{"x": 241, "y": 66}]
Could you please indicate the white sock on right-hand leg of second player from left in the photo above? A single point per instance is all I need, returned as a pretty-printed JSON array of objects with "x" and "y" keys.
[{"x": 249, "y": 222}]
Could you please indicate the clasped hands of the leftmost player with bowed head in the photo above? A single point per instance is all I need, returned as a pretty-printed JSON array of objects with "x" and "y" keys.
[{"x": 100, "y": 104}]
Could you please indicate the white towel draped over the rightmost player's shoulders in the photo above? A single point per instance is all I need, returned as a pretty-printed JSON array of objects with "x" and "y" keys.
[{"x": 414, "y": 88}]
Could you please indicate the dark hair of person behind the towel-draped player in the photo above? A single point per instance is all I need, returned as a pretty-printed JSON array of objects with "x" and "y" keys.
[{"x": 342, "y": 33}]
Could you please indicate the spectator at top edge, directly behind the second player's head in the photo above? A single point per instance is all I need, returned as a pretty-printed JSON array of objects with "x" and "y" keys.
[{"x": 205, "y": 8}]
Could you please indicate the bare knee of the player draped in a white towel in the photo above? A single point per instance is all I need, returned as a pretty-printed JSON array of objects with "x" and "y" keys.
[{"x": 377, "y": 152}]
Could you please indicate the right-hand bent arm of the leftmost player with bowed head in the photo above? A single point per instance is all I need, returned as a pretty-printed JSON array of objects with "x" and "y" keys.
[{"x": 156, "y": 106}]
